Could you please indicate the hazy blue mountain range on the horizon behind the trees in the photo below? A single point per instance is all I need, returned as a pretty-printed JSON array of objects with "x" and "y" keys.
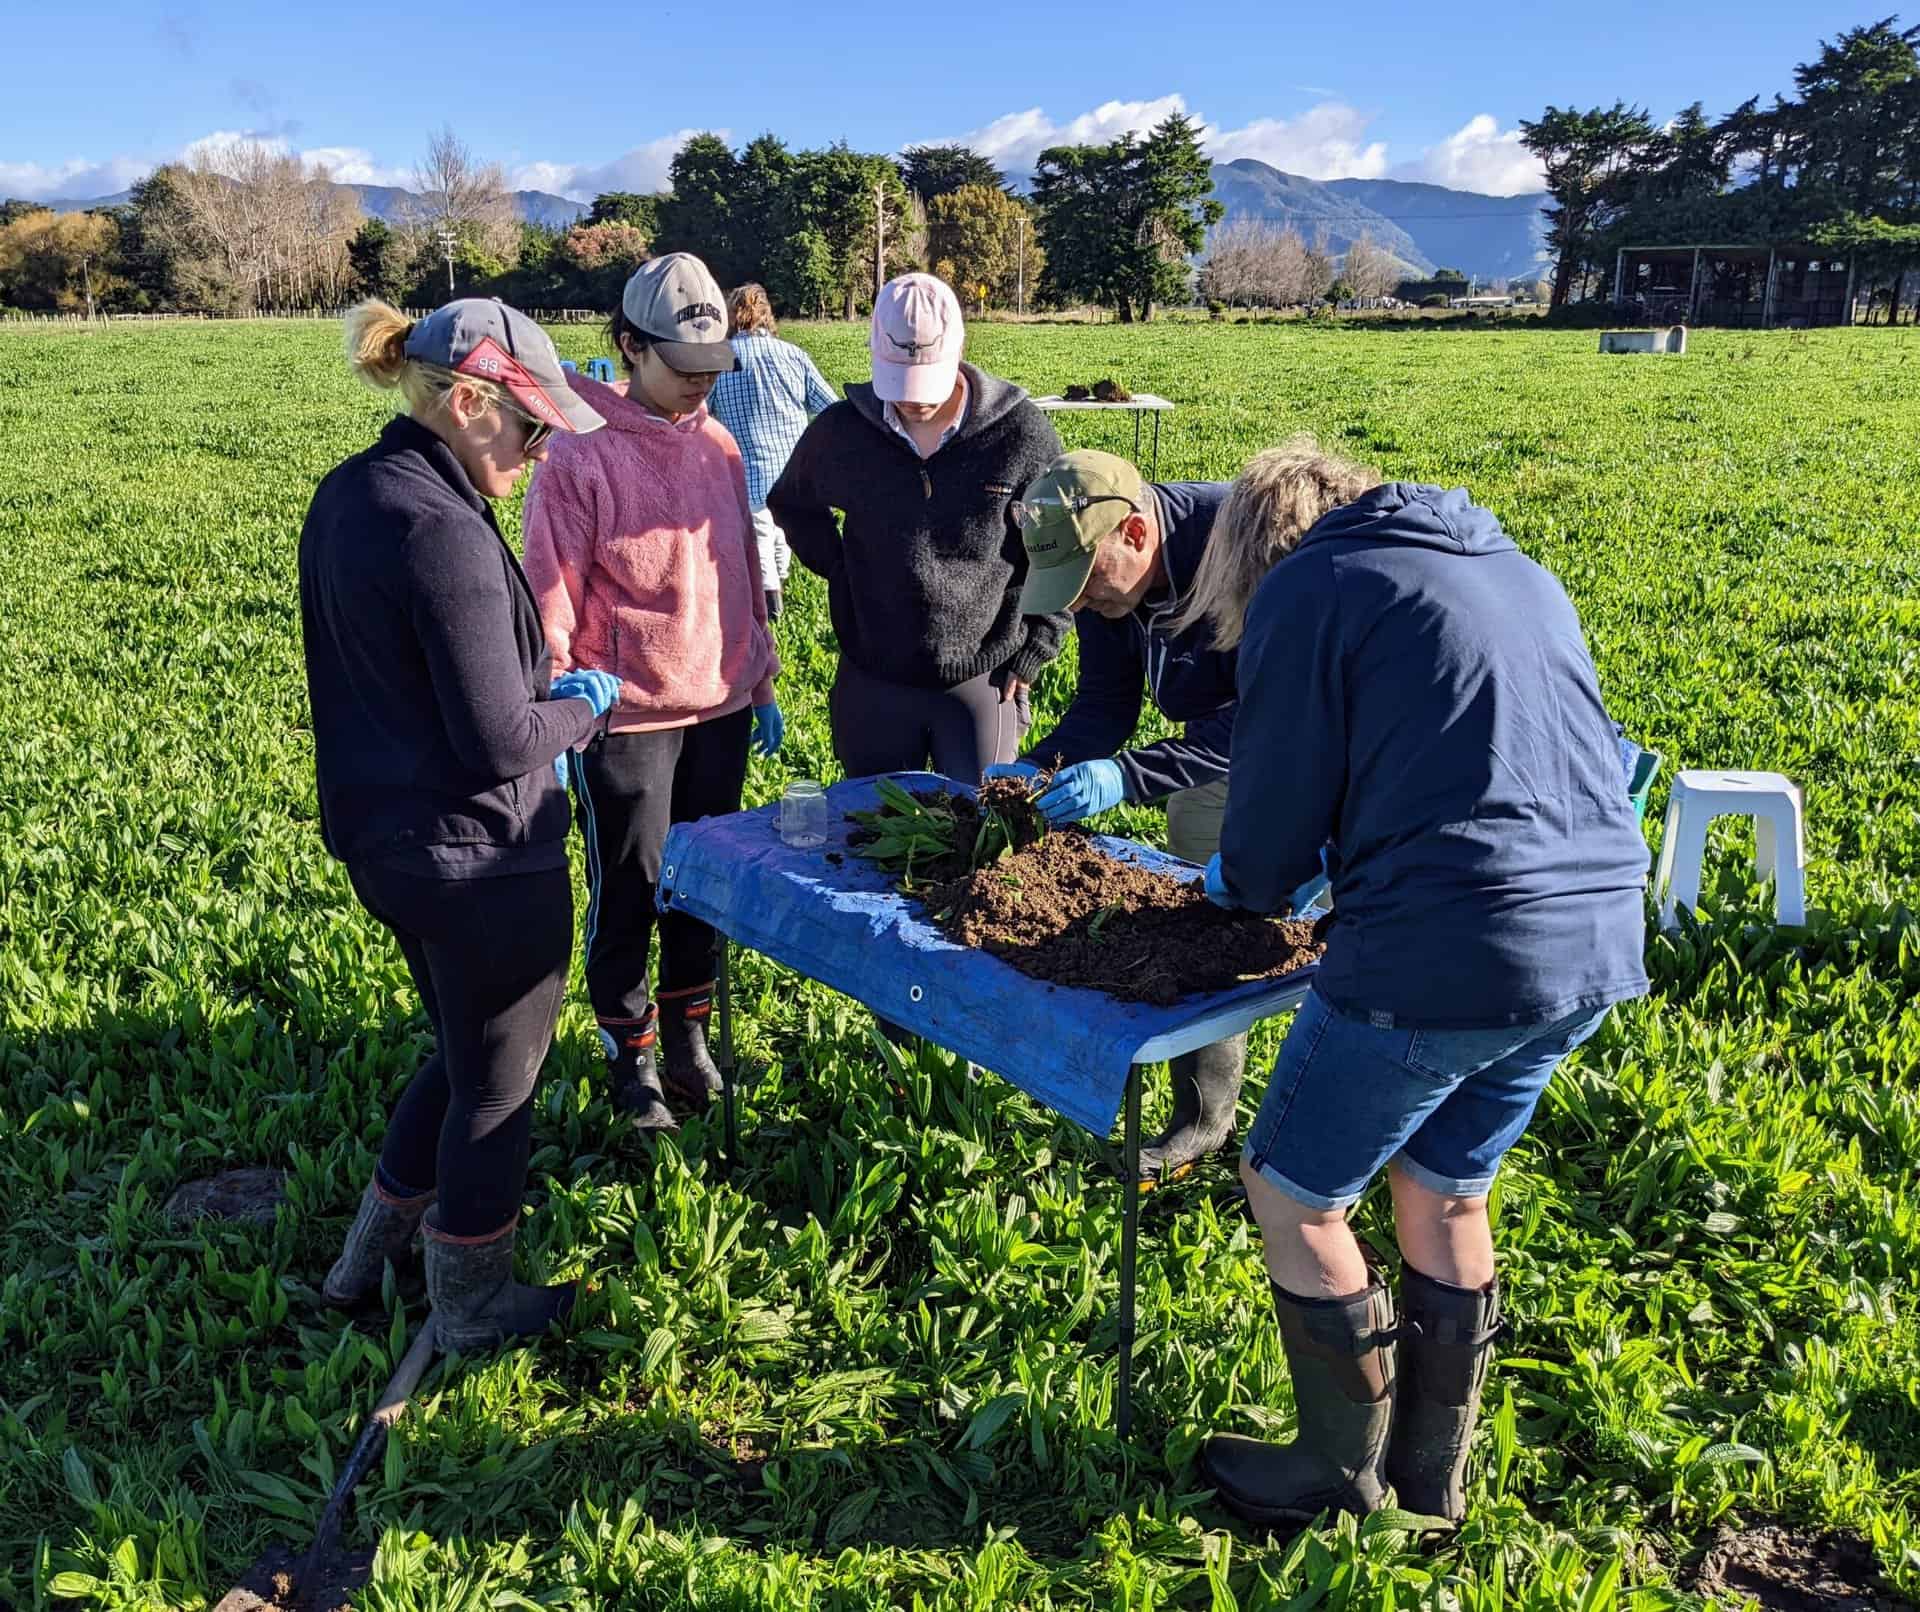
[{"x": 1424, "y": 225}]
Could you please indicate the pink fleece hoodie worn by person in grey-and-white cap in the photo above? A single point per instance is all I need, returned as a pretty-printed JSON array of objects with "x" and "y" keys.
[{"x": 642, "y": 557}]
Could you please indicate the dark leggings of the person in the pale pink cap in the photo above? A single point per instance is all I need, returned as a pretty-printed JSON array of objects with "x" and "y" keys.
[{"x": 882, "y": 726}]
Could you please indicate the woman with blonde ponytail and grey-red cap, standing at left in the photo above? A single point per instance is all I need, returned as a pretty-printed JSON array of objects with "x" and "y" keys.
[{"x": 439, "y": 734}]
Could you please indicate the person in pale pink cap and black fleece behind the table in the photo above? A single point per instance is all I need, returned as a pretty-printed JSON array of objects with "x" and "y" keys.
[{"x": 924, "y": 565}]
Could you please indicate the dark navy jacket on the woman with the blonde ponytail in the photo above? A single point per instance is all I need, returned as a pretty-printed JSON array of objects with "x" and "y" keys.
[{"x": 427, "y": 671}]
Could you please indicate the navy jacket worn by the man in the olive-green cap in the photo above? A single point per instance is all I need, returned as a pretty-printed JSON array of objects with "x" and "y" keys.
[{"x": 1189, "y": 680}]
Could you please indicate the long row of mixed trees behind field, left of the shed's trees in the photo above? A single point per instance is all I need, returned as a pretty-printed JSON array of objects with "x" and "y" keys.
[{"x": 247, "y": 225}]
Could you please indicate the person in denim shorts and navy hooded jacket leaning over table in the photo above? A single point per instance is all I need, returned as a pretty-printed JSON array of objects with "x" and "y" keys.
[{"x": 1418, "y": 694}]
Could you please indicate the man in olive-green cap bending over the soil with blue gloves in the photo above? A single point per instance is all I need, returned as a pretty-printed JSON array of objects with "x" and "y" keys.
[{"x": 1122, "y": 554}]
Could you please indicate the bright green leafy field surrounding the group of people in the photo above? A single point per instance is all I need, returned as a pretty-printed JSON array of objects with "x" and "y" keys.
[{"x": 873, "y": 1367}]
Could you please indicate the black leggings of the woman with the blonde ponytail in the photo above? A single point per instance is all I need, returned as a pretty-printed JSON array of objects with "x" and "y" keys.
[{"x": 489, "y": 959}]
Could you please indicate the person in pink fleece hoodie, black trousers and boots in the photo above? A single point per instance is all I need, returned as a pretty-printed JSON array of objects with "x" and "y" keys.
[{"x": 642, "y": 554}]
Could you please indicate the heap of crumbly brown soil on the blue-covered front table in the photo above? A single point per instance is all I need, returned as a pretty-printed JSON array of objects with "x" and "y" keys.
[{"x": 1063, "y": 911}]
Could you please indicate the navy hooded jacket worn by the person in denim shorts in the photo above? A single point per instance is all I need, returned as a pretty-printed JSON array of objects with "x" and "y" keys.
[{"x": 1418, "y": 694}]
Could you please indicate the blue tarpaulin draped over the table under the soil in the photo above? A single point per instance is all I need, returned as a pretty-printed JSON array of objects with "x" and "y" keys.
[{"x": 846, "y": 926}]
